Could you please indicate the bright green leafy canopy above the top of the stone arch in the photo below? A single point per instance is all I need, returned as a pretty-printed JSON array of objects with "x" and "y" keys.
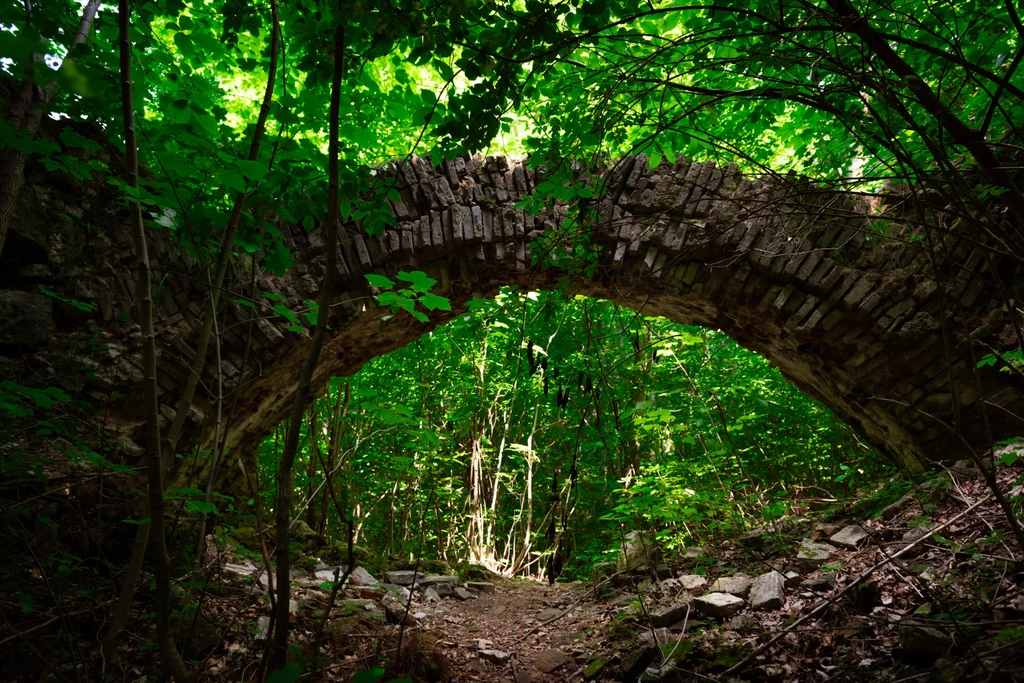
[{"x": 777, "y": 87}]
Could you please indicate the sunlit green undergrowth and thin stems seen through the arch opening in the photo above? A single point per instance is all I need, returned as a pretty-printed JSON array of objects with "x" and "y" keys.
[{"x": 472, "y": 441}]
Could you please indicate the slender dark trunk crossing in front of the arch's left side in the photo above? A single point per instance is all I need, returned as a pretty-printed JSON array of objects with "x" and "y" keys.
[{"x": 279, "y": 650}]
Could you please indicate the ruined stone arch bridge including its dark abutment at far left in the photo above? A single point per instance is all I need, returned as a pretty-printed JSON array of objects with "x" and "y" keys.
[{"x": 788, "y": 270}]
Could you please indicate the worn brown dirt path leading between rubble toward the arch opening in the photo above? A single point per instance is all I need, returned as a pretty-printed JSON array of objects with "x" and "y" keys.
[{"x": 525, "y": 631}]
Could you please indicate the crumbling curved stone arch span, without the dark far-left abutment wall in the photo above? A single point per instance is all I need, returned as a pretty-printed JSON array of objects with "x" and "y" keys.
[{"x": 787, "y": 270}]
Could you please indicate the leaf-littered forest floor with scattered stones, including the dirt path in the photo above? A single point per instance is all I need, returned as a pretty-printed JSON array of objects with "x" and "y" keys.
[{"x": 927, "y": 588}]
